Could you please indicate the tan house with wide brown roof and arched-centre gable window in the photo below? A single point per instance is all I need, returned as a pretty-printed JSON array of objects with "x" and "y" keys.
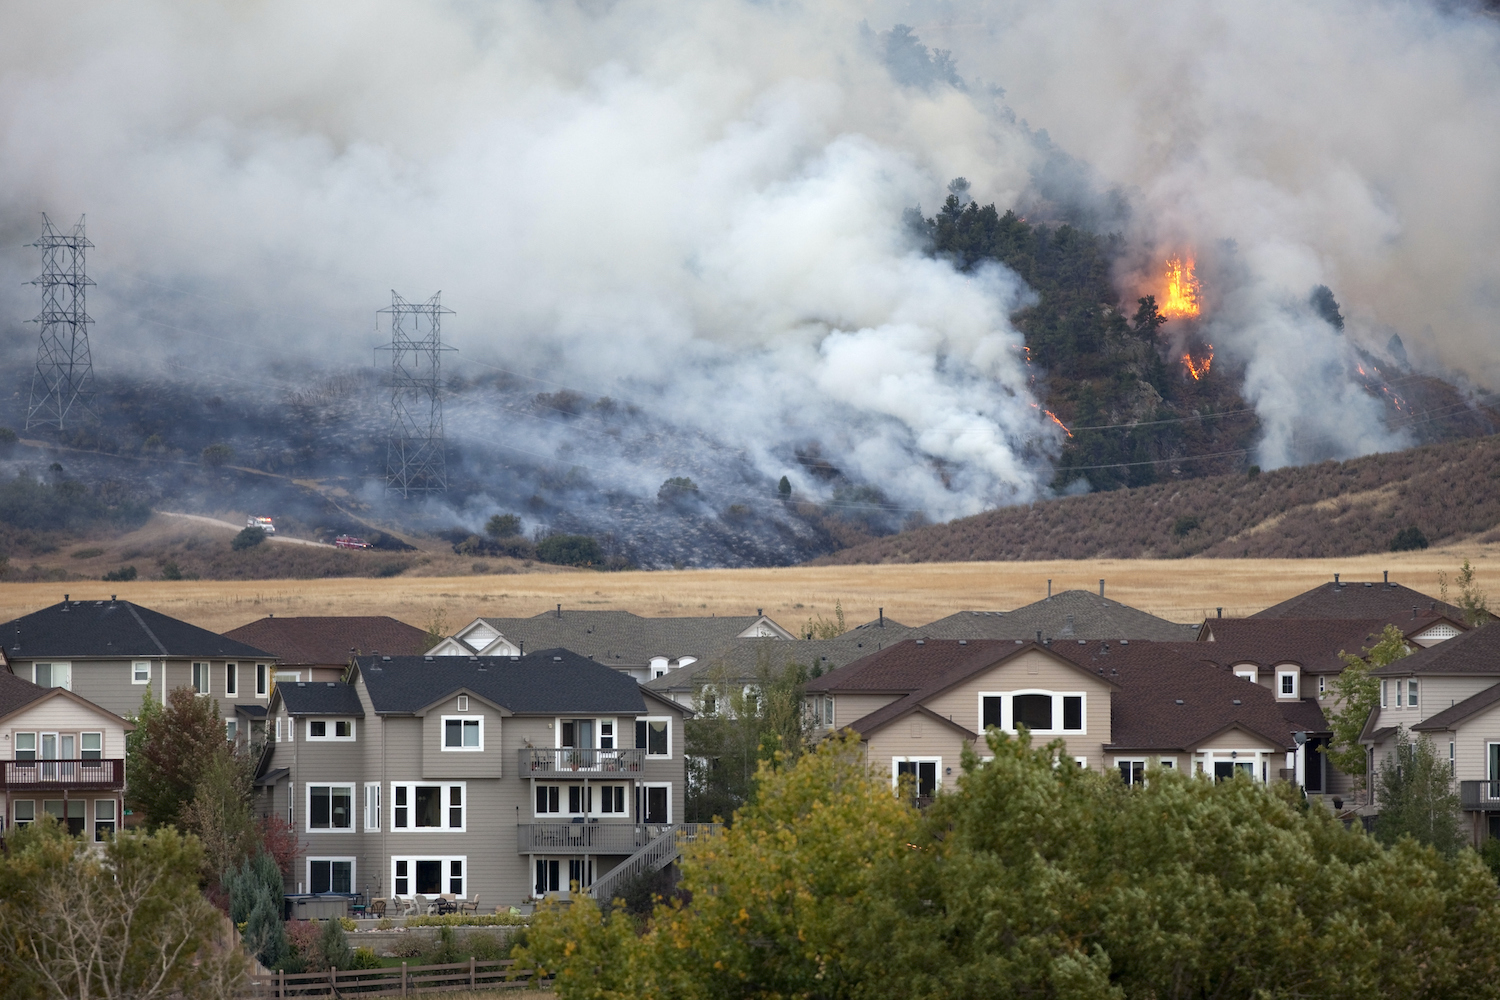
[{"x": 1115, "y": 705}]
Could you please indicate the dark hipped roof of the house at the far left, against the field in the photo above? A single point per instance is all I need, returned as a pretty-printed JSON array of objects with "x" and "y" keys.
[{"x": 77, "y": 630}]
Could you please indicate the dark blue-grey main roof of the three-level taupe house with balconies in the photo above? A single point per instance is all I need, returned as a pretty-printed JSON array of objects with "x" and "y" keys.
[{"x": 541, "y": 683}]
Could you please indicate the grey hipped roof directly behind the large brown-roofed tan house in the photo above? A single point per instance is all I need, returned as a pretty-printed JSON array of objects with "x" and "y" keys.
[{"x": 1066, "y": 615}]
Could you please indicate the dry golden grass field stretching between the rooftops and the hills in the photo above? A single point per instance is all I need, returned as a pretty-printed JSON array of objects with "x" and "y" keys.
[{"x": 1181, "y": 590}]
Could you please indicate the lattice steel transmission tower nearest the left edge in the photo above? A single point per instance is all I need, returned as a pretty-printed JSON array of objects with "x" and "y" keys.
[{"x": 64, "y": 380}]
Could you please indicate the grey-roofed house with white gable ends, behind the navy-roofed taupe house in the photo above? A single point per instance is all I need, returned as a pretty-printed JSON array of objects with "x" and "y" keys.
[{"x": 646, "y": 648}]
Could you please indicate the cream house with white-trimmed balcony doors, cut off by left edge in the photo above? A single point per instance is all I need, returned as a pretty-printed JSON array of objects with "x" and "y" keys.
[{"x": 61, "y": 755}]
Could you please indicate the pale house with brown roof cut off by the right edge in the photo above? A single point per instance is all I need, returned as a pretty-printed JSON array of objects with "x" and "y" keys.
[{"x": 1450, "y": 693}]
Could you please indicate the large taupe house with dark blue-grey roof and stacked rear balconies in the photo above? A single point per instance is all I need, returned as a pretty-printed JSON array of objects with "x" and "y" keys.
[{"x": 508, "y": 777}]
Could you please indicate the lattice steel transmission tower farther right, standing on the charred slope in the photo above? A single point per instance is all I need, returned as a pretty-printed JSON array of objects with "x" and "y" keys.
[{"x": 415, "y": 455}]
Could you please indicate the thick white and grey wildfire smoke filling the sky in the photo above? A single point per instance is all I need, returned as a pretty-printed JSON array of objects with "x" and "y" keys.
[{"x": 700, "y": 206}]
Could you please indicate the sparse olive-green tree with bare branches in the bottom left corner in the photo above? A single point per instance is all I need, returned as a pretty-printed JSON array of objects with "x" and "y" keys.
[{"x": 128, "y": 921}]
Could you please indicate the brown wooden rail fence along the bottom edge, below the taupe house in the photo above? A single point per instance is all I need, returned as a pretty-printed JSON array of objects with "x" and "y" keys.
[{"x": 395, "y": 983}]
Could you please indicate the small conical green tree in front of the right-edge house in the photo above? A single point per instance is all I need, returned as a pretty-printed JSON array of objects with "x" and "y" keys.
[{"x": 1417, "y": 797}]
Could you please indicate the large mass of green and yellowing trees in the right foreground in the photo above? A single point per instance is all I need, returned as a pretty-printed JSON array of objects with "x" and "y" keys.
[{"x": 1033, "y": 878}]
